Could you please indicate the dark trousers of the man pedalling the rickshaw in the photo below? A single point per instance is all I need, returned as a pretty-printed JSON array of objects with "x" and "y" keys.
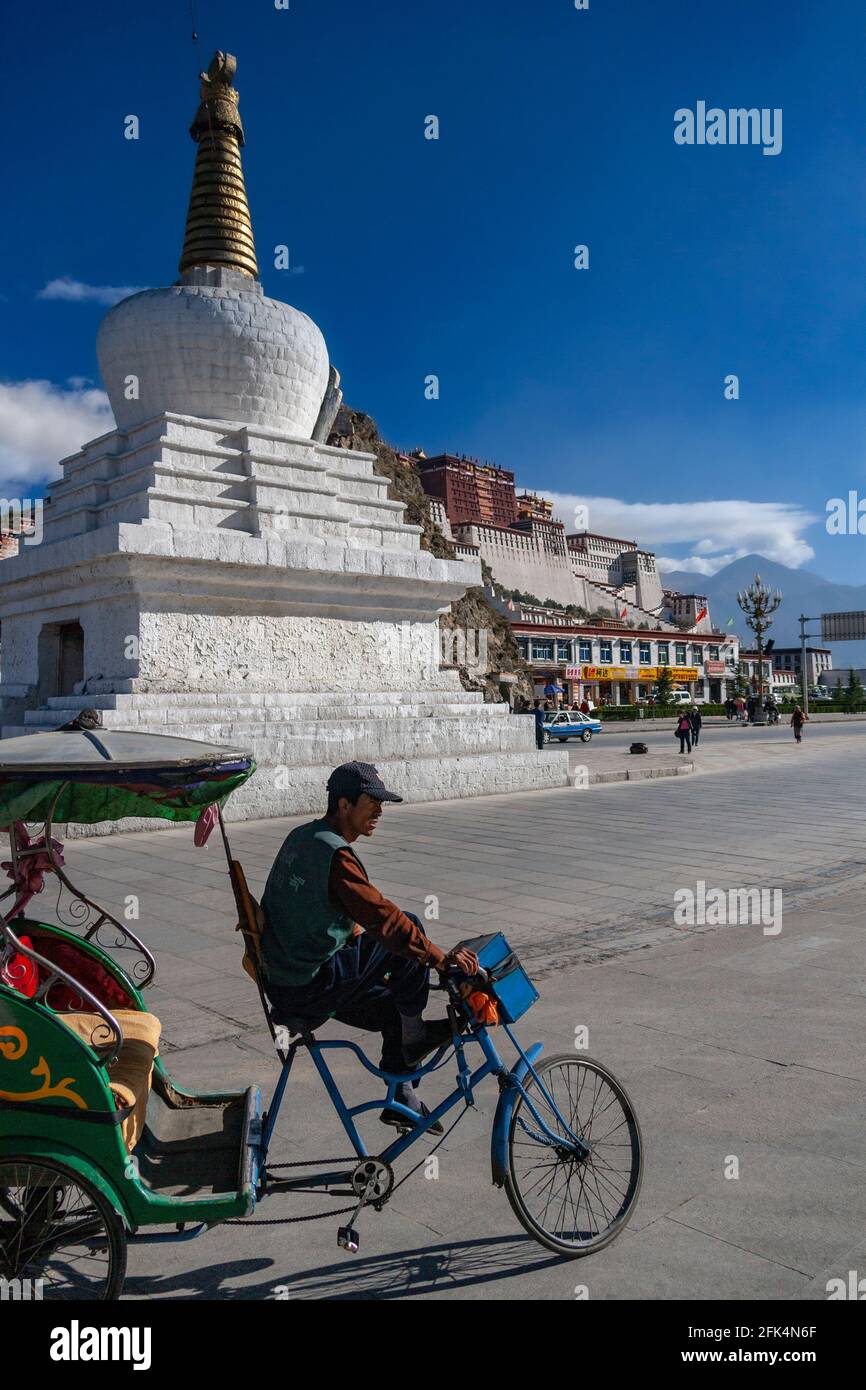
[{"x": 363, "y": 986}]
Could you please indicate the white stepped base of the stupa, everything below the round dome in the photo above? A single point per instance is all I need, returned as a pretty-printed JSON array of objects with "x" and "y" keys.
[{"x": 241, "y": 586}]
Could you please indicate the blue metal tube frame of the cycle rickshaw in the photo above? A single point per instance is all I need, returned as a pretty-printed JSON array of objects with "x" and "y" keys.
[{"x": 468, "y": 1079}]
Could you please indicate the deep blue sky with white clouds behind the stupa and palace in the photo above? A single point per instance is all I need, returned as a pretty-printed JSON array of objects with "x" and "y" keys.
[{"x": 455, "y": 258}]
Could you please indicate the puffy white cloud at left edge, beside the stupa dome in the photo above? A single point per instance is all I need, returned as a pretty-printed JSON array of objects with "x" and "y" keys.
[{"x": 42, "y": 423}]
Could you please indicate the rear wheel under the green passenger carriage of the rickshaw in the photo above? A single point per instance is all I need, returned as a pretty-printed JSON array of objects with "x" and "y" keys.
[{"x": 58, "y": 1228}]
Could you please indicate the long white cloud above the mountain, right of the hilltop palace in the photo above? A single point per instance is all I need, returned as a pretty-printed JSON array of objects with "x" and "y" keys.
[{"x": 711, "y": 534}]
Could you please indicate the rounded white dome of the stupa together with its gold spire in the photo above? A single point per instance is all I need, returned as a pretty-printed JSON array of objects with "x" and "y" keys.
[{"x": 213, "y": 345}]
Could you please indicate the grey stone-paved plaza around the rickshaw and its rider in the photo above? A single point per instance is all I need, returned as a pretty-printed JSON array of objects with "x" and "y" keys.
[{"x": 732, "y": 1043}]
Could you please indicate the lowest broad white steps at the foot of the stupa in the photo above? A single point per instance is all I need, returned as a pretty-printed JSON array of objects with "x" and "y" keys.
[{"x": 429, "y": 747}]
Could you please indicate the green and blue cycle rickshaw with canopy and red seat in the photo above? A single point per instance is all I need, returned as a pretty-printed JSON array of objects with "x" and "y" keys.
[{"x": 101, "y": 1147}]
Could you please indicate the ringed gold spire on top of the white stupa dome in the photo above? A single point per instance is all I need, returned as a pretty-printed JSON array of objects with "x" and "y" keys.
[{"x": 219, "y": 229}]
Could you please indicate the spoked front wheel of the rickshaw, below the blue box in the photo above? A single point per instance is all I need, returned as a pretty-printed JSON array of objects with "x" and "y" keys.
[{"x": 569, "y": 1206}]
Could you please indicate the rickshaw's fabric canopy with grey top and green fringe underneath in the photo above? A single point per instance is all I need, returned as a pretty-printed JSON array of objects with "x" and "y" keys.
[{"x": 106, "y": 775}]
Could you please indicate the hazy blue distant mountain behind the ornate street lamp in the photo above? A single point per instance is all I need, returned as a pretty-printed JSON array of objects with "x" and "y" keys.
[{"x": 801, "y": 593}]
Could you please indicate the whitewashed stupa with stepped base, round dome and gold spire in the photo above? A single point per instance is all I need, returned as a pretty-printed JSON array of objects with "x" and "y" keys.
[{"x": 212, "y": 569}]
